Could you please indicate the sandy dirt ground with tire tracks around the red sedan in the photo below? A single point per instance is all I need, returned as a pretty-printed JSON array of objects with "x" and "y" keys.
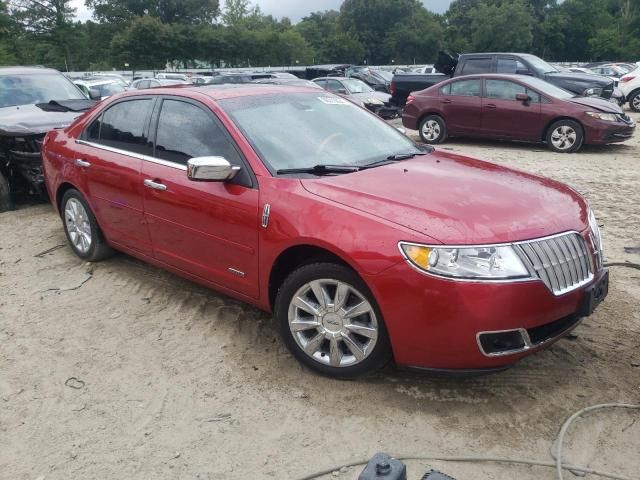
[{"x": 119, "y": 370}]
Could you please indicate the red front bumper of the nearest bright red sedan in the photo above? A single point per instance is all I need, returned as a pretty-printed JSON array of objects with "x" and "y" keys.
[{"x": 435, "y": 323}]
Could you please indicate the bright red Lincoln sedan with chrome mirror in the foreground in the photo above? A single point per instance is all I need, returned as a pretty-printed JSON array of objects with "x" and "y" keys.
[{"x": 365, "y": 246}]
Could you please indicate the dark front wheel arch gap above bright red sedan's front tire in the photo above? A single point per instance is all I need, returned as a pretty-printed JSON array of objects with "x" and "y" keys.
[{"x": 296, "y": 256}]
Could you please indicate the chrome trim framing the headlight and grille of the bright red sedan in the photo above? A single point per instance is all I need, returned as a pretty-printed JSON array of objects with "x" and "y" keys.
[{"x": 533, "y": 276}]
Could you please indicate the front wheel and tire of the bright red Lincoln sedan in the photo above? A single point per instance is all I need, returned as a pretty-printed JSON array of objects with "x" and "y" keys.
[{"x": 330, "y": 321}]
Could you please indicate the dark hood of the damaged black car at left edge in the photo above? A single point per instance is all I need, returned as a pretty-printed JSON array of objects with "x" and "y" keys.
[{"x": 32, "y": 120}]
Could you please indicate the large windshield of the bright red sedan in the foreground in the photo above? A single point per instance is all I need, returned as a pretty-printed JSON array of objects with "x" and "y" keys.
[{"x": 301, "y": 130}]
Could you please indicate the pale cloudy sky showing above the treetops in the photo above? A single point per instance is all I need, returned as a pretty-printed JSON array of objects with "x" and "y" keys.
[{"x": 294, "y": 9}]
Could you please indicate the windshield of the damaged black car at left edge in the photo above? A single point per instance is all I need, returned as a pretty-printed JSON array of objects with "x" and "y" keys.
[{"x": 29, "y": 89}]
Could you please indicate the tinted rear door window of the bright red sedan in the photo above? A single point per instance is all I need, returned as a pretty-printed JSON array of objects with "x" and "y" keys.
[{"x": 123, "y": 126}]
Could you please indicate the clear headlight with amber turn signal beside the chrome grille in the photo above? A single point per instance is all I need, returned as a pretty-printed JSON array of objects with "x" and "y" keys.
[{"x": 472, "y": 263}]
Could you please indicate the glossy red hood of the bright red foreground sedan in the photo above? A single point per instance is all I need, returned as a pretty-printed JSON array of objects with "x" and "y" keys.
[{"x": 457, "y": 200}]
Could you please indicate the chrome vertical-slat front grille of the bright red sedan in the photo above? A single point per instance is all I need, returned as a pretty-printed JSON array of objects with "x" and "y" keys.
[{"x": 562, "y": 262}]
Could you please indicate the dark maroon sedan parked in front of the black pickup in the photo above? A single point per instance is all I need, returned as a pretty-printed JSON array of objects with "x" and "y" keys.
[{"x": 509, "y": 107}]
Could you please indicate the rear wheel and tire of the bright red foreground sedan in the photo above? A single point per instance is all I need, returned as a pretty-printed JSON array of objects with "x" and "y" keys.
[{"x": 81, "y": 227}]
